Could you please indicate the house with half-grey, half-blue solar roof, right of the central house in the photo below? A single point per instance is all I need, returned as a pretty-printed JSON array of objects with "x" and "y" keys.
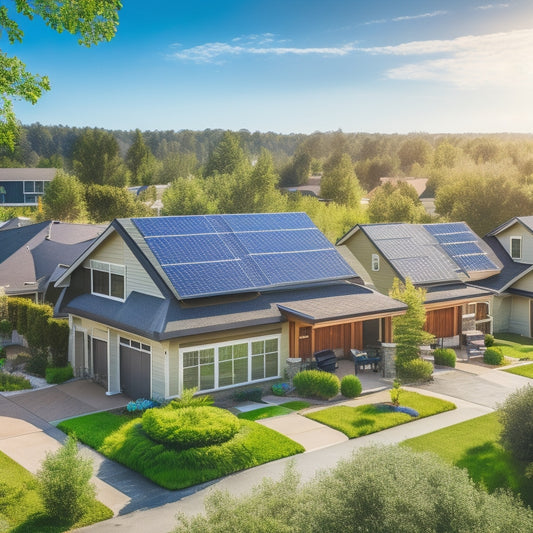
[{"x": 445, "y": 259}]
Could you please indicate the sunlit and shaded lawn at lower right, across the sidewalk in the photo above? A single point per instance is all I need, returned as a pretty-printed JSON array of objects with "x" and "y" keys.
[{"x": 474, "y": 445}]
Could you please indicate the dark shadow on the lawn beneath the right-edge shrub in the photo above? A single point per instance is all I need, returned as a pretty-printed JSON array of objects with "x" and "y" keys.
[{"x": 494, "y": 468}]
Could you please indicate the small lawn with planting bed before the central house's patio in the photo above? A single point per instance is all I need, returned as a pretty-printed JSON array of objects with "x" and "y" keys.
[{"x": 365, "y": 419}]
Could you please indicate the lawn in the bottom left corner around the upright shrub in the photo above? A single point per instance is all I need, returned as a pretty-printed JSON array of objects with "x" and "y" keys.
[{"x": 22, "y": 508}]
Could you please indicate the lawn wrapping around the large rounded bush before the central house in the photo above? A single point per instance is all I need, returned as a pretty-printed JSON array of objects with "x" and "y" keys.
[{"x": 122, "y": 439}]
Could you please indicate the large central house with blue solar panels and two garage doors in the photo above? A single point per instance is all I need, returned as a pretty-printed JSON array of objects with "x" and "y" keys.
[{"x": 158, "y": 305}]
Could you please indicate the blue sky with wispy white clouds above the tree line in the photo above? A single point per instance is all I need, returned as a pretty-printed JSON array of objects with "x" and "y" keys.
[{"x": 293, "y": 66}]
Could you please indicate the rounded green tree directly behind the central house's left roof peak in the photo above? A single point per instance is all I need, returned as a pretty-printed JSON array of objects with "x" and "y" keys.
[{"x": 105, "y": 202}]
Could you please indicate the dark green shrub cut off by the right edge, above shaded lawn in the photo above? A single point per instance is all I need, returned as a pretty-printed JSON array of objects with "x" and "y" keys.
[{"x": 517, "y": 422}]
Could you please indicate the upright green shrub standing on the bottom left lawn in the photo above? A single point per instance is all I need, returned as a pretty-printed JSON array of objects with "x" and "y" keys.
[{"x": 64, "y": 482}]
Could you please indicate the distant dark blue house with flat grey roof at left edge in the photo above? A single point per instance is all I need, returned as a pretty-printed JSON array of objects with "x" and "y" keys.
[{"x": 24, "y": 186}]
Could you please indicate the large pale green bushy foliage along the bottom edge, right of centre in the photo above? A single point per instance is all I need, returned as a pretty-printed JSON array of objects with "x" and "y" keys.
[{"x": 378, "y": 490}]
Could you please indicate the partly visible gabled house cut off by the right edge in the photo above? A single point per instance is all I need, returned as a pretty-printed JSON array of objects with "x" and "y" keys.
[{"x": 512, "y": 242}]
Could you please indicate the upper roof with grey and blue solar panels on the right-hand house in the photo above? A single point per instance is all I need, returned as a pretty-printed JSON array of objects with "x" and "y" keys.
[{"x": 431, "y": 253}]
